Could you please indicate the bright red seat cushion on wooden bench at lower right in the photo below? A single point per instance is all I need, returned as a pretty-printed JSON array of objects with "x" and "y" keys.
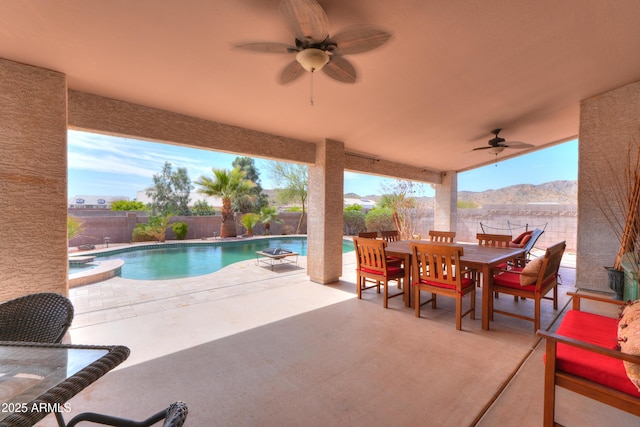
[{"x": 598, "y": 330}]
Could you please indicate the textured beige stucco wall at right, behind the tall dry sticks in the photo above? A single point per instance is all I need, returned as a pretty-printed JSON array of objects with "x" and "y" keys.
[{"x": 608, "y": 122}]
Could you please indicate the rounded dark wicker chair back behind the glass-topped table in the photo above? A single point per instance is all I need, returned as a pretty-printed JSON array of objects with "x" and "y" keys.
[{"x": 43, "y": 317}]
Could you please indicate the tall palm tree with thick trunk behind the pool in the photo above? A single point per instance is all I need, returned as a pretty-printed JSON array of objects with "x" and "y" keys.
[{"x": 227, "y": 185}]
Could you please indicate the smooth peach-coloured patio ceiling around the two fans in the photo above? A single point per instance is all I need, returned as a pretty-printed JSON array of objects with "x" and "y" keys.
[{"x": 453, "y": 71}]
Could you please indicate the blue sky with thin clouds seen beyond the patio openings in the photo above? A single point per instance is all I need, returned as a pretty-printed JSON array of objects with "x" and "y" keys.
[{"x": 101, "y": 165}]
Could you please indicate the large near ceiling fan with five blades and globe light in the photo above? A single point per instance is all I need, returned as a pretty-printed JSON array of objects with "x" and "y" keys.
[{"x": 314, "y": 49}]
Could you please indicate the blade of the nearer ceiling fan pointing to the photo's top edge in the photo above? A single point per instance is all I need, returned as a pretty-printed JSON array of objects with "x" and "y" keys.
[{"x": 306, "y": 19}]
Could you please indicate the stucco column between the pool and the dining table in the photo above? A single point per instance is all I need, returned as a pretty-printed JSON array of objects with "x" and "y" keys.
[{"x": 325, "y": 220}]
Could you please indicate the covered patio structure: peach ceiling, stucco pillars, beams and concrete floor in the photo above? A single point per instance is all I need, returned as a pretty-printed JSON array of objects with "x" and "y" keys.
[{"x": 308, "y": 352}]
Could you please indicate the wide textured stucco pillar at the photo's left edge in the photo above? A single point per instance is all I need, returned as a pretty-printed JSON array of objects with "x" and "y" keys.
[{"x": 33, "y": 174}]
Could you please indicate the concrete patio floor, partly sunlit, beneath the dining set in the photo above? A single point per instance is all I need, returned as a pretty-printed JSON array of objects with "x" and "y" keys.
[{"x": 247, "y": 346}]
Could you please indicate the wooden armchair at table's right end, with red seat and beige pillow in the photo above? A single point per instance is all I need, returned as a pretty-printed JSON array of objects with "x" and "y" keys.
[{"x": 535, "y": 281}]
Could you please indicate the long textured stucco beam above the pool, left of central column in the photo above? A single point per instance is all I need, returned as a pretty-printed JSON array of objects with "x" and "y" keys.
[{"x": 113, "y": 117}]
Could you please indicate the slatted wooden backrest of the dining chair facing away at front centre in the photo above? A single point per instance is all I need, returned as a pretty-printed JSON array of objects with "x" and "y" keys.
[{"x": 437, "y": 263}]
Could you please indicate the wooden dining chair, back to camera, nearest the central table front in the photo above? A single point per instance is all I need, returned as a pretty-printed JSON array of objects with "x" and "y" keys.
[{"x": 436, "y": 269}]
